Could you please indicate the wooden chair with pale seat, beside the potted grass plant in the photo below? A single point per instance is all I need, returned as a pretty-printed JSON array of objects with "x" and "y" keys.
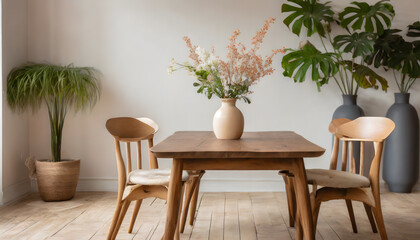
[{"x": 135, "y": 185}]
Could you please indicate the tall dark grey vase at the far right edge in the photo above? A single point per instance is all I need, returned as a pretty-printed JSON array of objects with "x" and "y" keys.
[{"x": 401, "y": 154}]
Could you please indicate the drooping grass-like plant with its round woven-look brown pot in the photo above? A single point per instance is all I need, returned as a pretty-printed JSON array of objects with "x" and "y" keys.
[{"x": 60, "y": 88}]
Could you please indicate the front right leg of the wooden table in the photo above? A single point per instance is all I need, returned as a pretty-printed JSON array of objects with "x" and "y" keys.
[{"x": 302, "y": 197}]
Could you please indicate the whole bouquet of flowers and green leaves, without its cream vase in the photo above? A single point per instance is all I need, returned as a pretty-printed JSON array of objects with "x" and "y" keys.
[{"x": 231, "y": 78}]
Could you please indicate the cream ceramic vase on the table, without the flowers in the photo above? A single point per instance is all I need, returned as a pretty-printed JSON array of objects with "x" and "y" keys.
[{"x": 228, "y": 121}]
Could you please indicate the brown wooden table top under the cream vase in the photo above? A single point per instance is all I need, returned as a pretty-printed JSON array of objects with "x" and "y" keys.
[{"x": 204, "y": 144}]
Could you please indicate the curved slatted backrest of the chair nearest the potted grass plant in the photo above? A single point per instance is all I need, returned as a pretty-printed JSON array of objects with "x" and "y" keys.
[{"x": 128, "y": 130}]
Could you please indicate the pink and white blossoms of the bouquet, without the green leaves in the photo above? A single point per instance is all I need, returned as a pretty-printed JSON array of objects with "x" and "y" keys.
[{"x": 242, "y": 66}]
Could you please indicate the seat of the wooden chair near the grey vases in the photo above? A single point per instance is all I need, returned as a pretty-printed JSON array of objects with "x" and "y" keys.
[{"x": 336, "y": 179}]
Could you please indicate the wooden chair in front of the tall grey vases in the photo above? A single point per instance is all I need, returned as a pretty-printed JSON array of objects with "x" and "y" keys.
[{"x": 345, "y": 185}]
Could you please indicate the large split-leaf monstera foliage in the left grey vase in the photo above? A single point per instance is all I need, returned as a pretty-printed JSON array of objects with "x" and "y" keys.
[{"x": 341, "y": 56}]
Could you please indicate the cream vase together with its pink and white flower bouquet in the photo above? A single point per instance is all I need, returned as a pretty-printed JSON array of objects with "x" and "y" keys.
[{"x": 228, "y": 79}]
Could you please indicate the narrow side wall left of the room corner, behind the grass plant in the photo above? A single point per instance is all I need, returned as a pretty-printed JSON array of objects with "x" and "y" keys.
[{"x": 15, "y": 128}]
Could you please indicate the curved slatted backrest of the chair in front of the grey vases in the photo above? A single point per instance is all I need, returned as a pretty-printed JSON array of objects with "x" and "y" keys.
[{"x": 362, "y": 129}]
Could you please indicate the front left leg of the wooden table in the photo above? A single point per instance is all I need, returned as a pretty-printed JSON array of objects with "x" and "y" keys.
[{"x": 174, "y": 198}]
